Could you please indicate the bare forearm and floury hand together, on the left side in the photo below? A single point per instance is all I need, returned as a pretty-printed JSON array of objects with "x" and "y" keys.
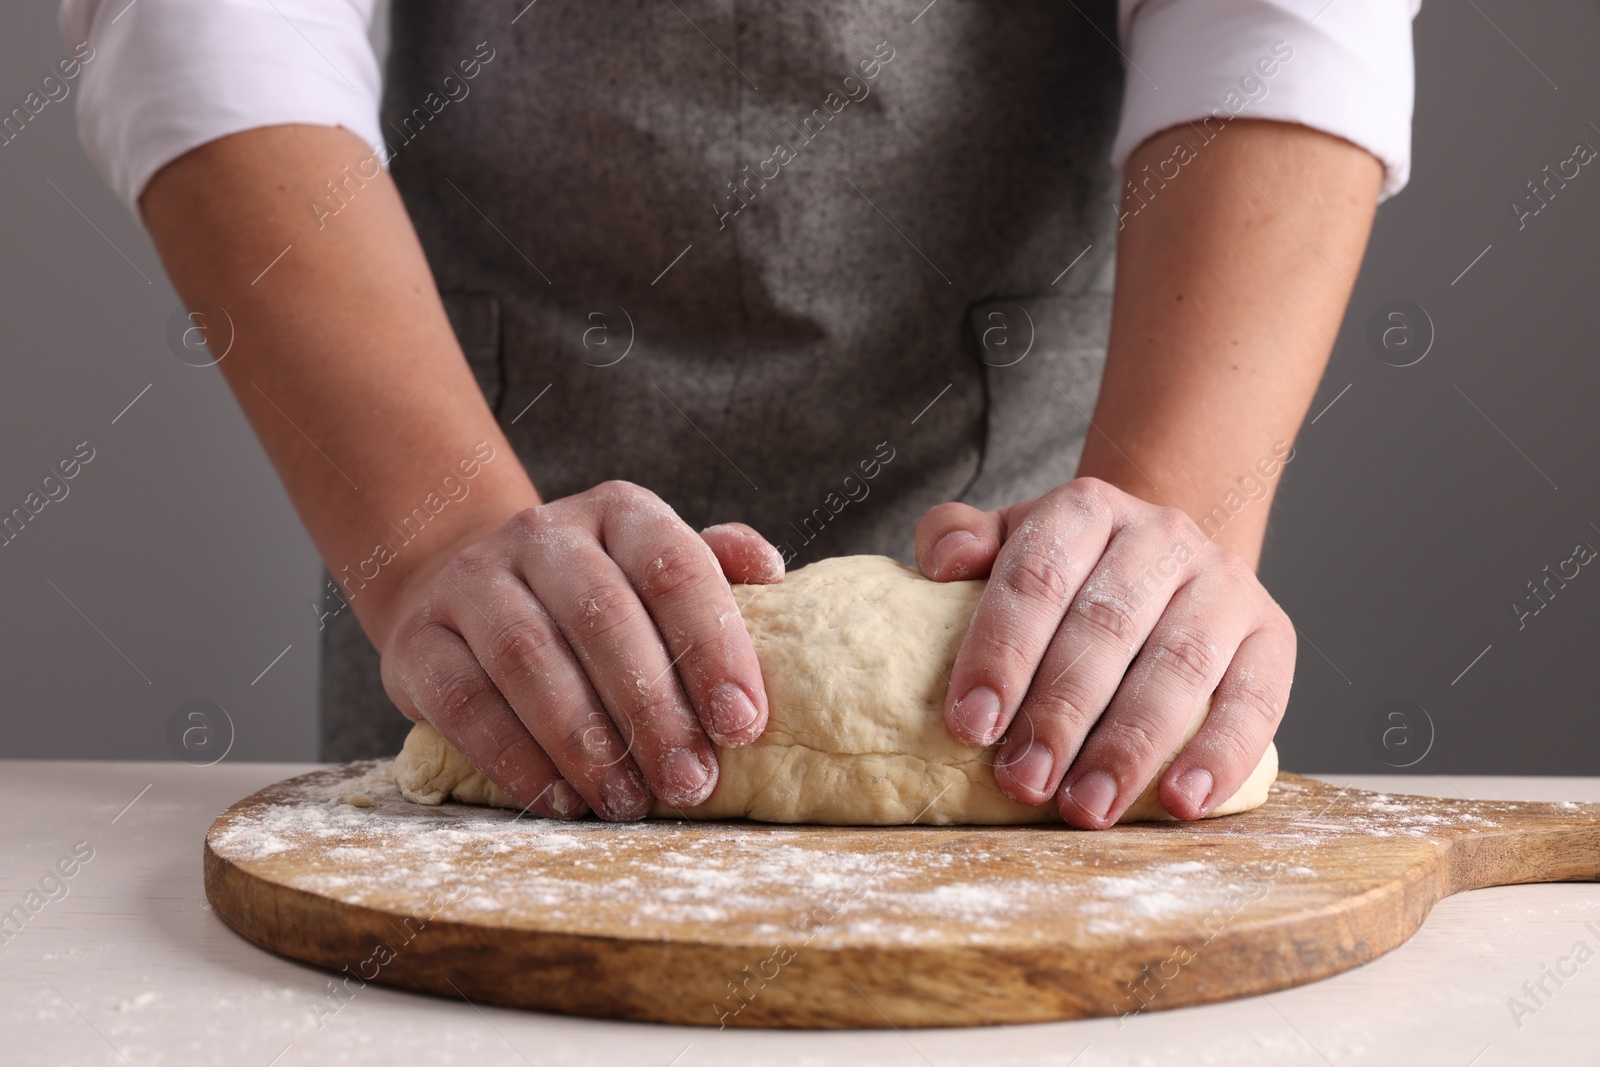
[{"x": 578, "y": 652}]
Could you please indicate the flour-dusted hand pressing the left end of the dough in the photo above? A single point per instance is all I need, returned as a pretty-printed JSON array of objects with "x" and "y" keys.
[{"x": 583, "y": 653}]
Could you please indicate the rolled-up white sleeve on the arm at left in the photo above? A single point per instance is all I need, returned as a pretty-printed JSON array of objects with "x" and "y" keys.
[{"x": 169, "y": 76}]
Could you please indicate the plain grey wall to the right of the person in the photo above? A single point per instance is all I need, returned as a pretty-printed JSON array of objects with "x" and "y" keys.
[{"x": 1410, "y": 521}]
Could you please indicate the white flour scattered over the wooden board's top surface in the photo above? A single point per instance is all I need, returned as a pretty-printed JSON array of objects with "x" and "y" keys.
[{"x": 759, "y": 884}]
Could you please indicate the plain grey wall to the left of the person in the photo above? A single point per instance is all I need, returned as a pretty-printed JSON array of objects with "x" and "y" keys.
[{"x": 175, "y": 569}]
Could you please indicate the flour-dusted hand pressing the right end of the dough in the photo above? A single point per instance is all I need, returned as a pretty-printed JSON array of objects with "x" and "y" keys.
[{"x": 1106, "y": 625}]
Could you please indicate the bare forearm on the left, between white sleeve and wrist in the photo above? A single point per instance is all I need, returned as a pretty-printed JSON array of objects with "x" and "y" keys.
[{"x": 342, "y": 354}]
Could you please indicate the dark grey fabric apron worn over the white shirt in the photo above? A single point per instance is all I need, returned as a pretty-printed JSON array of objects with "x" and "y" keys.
[{"x": 801, "y": 266}]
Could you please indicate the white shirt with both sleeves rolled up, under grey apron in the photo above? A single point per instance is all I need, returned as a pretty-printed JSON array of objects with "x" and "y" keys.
[{"x": 170, "y": 76}]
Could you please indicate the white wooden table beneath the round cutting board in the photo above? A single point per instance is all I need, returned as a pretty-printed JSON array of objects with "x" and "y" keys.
[{"x": 132, "y": 969}]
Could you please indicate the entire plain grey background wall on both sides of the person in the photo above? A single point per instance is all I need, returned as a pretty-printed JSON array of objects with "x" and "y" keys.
[{"x": 1409, "y": 522}]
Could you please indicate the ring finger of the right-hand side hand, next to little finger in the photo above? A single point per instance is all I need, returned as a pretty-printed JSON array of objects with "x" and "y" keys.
[{"x": 1159, "y": 700}]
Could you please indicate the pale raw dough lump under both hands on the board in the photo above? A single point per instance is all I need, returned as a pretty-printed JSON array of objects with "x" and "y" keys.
[{"x": 857, "y": 655}]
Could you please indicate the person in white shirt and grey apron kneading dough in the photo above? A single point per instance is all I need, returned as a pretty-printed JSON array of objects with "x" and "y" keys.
[{"x": 810, "y": 279}]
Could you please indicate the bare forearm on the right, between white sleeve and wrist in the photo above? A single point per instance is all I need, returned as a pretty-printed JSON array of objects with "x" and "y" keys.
[{"x": 1233, "y": 278}]
